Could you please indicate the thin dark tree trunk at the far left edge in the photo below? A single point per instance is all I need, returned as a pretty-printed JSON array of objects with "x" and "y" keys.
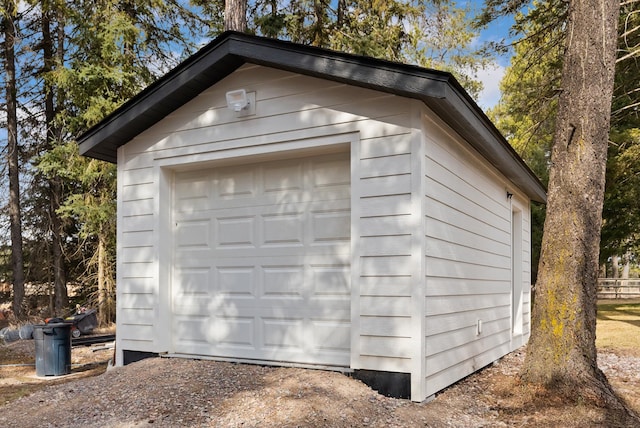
[{"x": 17, "y": 258}]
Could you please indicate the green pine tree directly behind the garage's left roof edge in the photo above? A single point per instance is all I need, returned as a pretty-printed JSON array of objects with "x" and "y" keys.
[{"x": 116, "y": 48}]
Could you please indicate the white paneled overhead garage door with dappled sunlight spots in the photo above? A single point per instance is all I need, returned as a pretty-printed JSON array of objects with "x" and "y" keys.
[{"x": 261, "y": 261}]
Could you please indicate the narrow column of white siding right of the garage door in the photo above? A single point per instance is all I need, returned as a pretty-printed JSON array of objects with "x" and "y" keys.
[{"x": 385, "y": 242}]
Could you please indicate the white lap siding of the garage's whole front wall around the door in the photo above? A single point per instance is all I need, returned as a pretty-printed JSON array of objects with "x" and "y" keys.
[{"x": 289, "y": 108}]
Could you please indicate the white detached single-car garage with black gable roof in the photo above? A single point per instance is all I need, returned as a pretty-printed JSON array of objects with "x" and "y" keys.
[{"x": 357, "y": 215}]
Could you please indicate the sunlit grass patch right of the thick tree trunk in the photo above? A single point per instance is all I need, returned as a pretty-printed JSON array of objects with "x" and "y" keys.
[{"x": 618, "y": 325}]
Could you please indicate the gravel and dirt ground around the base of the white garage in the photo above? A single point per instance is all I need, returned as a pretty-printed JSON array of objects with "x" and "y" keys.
[{"x": 180, "y": 392}]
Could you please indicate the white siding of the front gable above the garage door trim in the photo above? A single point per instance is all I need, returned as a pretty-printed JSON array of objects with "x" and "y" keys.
[{"x": 289, "y": 107}]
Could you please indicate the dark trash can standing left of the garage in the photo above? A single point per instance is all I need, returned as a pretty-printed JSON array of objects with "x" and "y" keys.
[{"x": 53, "y": 349}]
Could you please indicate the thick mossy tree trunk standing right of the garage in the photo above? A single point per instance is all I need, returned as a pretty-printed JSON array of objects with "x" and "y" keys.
[{"x": 562, "y": 348}]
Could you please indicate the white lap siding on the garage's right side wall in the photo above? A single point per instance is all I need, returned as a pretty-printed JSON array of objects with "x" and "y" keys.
[{"x": 467, "y": 261}]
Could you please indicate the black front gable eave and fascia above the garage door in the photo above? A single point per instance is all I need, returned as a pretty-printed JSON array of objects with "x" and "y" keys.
[{"x": 228, "y": 52}]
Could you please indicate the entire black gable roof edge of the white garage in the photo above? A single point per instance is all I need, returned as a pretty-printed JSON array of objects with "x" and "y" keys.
[{"x": 440, "y": 91}]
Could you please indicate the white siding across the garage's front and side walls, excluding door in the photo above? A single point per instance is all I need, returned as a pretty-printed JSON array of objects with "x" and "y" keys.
[{"x": 430, "y": 221}]
